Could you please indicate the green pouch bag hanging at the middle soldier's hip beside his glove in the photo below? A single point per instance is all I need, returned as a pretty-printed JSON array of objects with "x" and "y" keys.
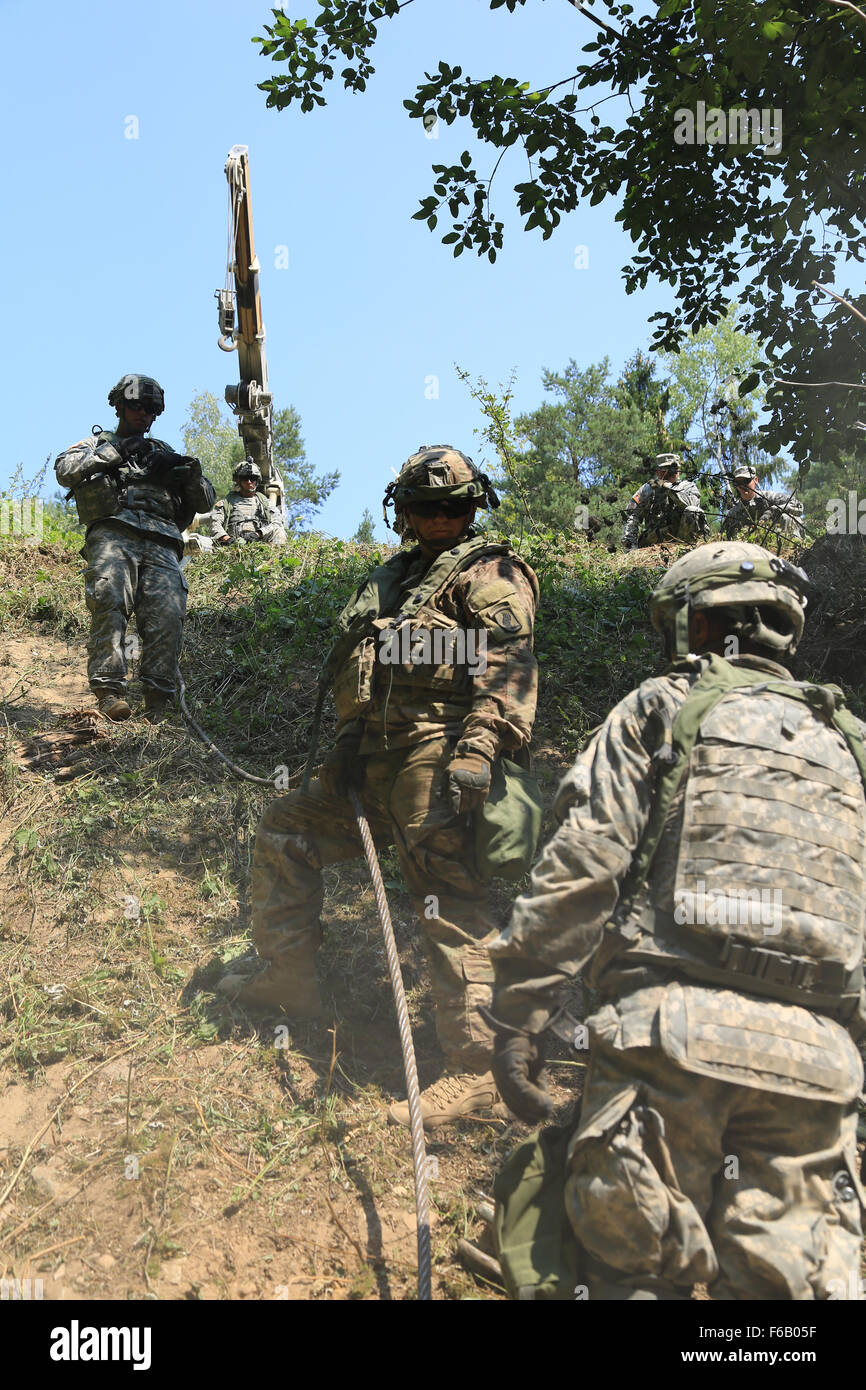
[{"x": 509, "y": 824}]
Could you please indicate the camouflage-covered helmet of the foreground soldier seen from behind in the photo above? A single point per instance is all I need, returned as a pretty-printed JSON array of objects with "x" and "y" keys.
[{"x": 768, "y": 596}]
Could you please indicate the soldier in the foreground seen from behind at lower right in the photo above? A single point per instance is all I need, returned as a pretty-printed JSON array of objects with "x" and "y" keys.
[{"x": 718, "y": 1134}]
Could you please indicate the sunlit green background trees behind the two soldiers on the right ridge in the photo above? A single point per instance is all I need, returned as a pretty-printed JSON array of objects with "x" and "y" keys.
[{"x": 572, "y": 465}]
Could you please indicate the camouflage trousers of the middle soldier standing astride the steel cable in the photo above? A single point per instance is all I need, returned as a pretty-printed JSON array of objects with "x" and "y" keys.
[{"x": 405, "y": 796}]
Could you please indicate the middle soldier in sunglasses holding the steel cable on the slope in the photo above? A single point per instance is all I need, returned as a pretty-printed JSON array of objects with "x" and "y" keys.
[{"x": 433, "y": 679}]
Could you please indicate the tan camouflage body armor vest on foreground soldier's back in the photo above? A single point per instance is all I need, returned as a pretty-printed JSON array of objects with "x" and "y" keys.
[{"x": 753, "y": 869}]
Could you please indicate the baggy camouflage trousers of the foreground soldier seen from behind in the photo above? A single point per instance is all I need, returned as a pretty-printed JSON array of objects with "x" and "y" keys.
[{"x": 679, "y": 1179}]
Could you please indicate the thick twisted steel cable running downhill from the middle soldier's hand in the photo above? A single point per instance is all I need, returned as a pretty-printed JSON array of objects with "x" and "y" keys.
[{"x": 419, "y": 1150}]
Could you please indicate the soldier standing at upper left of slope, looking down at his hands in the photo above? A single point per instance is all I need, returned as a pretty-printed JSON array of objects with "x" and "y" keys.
[{"x": 134, "y": 496}]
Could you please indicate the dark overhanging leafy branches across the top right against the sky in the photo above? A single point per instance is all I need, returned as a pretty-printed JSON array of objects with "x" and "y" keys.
[{"x": 705, "y": 215}]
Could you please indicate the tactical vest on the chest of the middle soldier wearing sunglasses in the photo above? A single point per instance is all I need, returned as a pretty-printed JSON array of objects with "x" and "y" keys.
[{"x": 405, "y": 639}]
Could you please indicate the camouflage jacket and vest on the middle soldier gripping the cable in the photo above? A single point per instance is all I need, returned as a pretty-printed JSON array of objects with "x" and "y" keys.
[{"x": 462, "y": 667}]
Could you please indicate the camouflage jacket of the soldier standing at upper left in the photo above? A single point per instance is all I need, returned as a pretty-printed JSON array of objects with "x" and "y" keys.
[{"x": 147, "y": 508}]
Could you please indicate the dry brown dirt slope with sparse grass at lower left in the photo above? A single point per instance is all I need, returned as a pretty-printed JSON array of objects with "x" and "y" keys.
[{"x": 154, "y": 1140}]
